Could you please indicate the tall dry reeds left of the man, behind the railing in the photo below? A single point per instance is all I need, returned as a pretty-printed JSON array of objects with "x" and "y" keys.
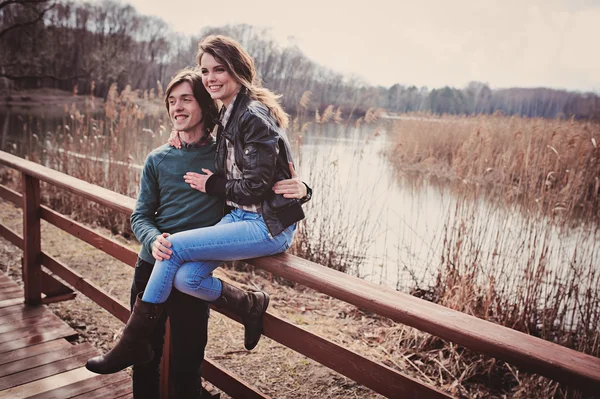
[{"x": 104, "y": 143}]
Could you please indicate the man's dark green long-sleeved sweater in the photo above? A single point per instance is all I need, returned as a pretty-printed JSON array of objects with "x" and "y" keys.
[{"x": 166, "y": 204}]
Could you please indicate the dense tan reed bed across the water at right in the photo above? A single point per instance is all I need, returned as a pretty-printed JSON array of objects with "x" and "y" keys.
[{"x": 552, "y": 166}]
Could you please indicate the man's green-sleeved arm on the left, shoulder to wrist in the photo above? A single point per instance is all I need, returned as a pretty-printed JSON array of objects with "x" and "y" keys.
[{"x": 143, "y": 218}]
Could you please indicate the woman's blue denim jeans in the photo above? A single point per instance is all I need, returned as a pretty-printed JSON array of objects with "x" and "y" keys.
[{"x": 196, "y": 253}]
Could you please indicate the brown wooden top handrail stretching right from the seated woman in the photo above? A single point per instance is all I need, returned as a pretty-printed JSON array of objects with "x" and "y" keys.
[{"x": 531, "y": 353}]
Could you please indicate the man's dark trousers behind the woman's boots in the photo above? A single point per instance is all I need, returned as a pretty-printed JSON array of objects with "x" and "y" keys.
[{"x": 189, "y": 326}]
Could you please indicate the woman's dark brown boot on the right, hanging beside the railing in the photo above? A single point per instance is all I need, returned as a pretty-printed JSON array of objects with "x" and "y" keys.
[{"x": 250, "y": 306}]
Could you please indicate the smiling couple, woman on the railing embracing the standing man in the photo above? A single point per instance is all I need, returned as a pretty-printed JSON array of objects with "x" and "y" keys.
[{"x": 253, "y": 175}]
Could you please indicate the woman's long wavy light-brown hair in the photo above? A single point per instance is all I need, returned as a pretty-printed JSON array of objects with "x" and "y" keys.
[{"x": 240, "y": 65}]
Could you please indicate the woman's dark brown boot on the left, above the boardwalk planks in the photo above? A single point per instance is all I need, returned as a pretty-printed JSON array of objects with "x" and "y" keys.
[{"x": 133, "y": 347}]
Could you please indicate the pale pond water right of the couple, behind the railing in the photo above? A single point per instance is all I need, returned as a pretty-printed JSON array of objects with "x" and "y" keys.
[{"x": 403, "y": 226}]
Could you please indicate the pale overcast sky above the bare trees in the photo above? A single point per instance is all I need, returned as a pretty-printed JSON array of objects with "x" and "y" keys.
[{"x": 551, "y": 43}]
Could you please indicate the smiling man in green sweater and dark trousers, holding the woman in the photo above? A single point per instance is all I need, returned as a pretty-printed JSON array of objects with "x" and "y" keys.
[{"x": 167, "y": 204}]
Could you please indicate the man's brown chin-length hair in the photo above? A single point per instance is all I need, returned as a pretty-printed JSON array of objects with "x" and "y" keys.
[{"x": 207, "y": 104}]
